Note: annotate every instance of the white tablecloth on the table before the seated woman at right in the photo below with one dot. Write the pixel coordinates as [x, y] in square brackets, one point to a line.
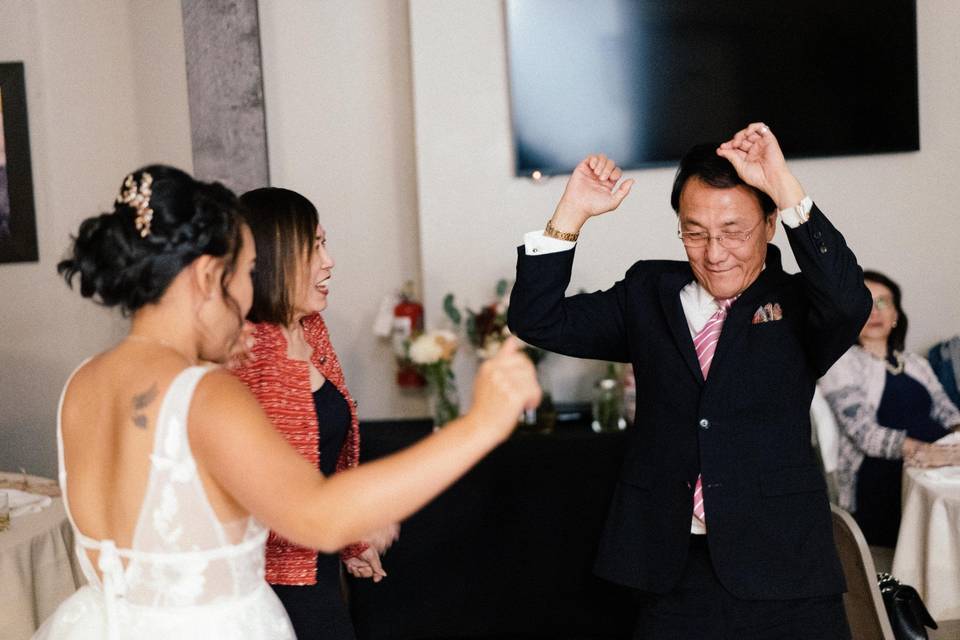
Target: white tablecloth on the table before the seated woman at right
[928, 549]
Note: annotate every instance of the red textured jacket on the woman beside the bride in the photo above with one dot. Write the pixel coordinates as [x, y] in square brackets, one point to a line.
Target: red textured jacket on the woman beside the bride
[282, 386]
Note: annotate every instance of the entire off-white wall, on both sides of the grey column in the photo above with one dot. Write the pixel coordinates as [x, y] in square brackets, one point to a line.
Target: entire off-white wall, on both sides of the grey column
[107, 92]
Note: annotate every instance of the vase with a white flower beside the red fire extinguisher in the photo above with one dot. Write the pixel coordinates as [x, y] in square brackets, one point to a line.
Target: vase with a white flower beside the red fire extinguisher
[432, 353]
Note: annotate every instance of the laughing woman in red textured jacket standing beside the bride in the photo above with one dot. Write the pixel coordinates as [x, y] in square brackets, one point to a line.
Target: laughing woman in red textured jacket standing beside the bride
[294, 373]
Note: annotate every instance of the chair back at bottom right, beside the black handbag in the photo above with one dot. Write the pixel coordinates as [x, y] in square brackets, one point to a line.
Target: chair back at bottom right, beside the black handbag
[862, 601]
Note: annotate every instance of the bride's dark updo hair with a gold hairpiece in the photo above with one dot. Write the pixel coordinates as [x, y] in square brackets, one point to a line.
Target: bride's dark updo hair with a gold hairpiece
[120, 266]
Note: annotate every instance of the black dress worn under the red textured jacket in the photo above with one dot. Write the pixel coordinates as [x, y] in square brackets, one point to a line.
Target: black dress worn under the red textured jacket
[318, 610]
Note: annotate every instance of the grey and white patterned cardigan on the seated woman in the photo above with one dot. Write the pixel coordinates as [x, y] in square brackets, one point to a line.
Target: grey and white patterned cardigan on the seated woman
[853, 387]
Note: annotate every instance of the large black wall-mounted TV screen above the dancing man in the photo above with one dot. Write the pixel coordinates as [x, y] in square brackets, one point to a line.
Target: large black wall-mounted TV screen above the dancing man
[644, 80]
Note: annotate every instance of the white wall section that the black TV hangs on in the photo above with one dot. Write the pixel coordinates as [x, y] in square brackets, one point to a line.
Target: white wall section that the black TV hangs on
[898, 211]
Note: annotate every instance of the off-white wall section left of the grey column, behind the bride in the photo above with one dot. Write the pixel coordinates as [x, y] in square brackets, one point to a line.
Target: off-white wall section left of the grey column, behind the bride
[106, 92]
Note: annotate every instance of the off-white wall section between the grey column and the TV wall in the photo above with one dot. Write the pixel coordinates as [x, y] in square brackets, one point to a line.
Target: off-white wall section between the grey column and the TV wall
[340, 130]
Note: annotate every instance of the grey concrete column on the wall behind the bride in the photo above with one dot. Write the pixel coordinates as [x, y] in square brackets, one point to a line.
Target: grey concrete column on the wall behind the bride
[225, 89]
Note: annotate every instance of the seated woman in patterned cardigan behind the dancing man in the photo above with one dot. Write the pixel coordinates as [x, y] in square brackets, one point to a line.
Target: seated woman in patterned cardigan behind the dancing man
[890, 407]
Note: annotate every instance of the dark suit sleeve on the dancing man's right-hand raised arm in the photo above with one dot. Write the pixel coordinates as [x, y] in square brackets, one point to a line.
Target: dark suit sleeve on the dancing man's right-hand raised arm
[839, 301]
